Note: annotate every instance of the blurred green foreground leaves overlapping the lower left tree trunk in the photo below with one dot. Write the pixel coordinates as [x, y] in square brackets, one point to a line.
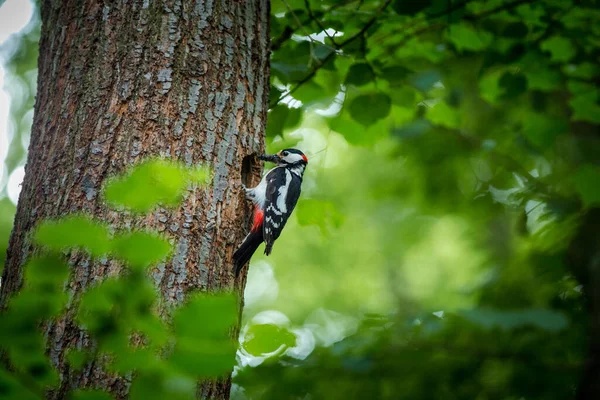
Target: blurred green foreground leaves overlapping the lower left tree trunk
[118, 314]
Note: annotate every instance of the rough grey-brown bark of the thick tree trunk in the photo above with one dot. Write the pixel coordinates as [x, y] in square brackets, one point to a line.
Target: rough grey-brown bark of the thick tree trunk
[122, 81]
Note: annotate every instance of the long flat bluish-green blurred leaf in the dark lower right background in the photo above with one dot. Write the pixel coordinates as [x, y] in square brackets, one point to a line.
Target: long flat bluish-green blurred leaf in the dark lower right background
[548, 320]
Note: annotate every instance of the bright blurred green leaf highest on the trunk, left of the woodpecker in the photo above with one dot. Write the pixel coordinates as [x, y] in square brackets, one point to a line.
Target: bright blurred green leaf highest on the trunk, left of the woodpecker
[148, 184]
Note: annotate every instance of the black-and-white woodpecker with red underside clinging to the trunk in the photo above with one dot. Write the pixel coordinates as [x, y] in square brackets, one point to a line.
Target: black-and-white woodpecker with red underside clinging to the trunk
[274, 200]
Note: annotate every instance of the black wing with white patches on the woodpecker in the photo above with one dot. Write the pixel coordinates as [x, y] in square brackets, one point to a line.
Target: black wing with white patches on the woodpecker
[283, 191]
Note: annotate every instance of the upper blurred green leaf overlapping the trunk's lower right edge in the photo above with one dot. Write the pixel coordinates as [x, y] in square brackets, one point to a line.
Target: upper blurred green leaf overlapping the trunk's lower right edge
[206, 316]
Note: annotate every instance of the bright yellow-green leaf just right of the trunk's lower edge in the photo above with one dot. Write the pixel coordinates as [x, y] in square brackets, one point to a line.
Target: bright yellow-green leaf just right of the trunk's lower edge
[266, 338]
